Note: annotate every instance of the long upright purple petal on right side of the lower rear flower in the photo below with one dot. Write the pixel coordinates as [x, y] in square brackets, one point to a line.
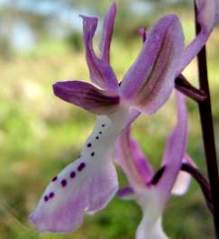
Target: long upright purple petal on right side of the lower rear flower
[174, 150]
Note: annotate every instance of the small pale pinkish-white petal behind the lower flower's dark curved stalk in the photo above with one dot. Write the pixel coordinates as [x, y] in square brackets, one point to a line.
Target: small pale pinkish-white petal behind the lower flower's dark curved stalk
[183, 180]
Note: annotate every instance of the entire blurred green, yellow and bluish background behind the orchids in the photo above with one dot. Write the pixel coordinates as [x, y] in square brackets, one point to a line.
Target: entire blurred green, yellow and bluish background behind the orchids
[40, 43]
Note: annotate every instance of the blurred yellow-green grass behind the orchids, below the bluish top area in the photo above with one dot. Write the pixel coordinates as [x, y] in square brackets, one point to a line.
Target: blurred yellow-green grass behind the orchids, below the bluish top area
[40, 134]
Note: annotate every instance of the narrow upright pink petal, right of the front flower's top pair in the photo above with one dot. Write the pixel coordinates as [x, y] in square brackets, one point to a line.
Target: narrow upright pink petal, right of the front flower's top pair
[107, 33]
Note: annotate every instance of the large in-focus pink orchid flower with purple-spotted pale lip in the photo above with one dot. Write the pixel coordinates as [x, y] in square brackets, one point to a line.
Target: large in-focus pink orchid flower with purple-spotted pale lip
[87, 184]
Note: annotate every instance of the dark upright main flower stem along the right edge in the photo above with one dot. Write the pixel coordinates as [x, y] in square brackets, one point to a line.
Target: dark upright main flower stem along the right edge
[208, 132]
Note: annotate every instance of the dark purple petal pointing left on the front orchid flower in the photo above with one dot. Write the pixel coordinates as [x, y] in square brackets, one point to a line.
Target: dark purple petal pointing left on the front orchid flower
[86, 96]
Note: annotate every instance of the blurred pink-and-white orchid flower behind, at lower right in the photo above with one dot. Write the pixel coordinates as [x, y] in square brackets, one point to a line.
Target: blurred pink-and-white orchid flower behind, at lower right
[152, 190]
